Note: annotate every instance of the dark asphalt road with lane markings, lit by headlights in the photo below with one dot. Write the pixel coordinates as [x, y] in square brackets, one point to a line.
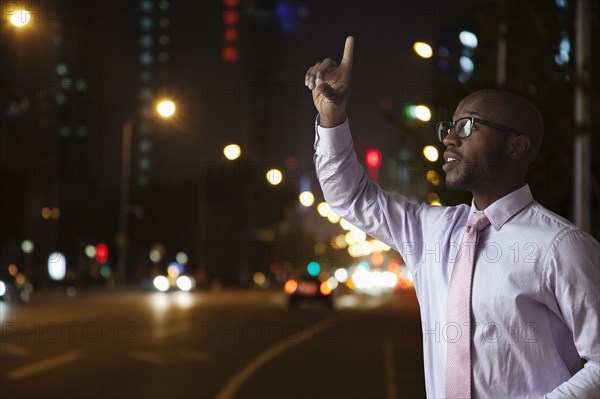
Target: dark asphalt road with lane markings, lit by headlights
[228, 344]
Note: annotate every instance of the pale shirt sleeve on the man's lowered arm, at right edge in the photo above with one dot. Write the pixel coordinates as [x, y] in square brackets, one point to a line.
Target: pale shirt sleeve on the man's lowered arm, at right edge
[573, 273]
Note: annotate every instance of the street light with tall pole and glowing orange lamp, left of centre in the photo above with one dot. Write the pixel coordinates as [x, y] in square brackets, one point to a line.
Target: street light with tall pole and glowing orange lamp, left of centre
[166, 109]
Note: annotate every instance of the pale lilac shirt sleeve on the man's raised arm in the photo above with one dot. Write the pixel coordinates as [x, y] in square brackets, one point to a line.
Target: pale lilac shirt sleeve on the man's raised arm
[389, 217]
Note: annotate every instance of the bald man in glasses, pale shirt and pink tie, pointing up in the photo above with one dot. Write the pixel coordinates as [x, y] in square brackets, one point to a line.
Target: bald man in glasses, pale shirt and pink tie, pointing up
[532, 296]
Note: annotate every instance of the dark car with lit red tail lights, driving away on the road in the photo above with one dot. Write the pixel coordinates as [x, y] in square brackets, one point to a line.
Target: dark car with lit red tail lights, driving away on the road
[308, 289]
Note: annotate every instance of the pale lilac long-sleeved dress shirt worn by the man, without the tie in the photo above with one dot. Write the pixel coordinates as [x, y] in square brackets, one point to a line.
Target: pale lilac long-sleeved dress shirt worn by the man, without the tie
[536, 284]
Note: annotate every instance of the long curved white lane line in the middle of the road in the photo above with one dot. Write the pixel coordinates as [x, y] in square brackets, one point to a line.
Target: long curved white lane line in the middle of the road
[234, 383]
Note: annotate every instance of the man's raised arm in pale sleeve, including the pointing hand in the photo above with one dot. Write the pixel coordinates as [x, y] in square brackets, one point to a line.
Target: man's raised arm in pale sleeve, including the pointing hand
[346, 187]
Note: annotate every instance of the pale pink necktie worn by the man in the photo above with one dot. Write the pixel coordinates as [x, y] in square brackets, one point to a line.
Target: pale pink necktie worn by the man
[458, 320]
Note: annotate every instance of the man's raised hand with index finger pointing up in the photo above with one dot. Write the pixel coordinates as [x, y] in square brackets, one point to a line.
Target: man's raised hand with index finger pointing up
[330, 85]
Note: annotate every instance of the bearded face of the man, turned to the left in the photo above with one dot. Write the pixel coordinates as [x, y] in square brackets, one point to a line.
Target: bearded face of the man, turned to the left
[479, 160]
